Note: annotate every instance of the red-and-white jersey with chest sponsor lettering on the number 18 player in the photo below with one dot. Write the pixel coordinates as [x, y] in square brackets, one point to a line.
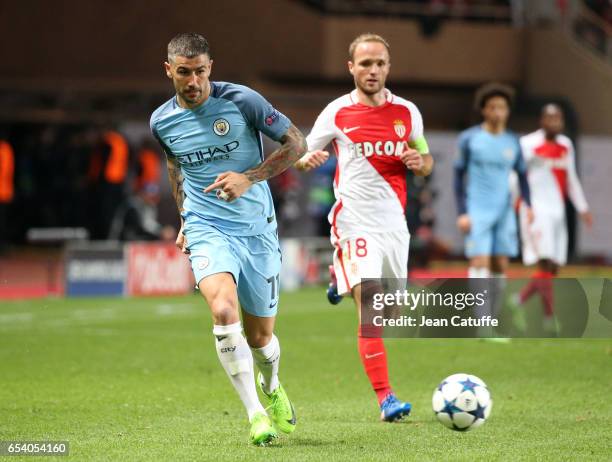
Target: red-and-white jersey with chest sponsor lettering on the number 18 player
[370, 180]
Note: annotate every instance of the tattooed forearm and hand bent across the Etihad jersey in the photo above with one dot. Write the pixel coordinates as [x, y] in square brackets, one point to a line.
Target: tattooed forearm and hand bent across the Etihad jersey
[232, 185]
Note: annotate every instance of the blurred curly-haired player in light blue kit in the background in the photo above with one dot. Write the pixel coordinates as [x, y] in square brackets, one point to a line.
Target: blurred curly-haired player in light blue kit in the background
[487, 155]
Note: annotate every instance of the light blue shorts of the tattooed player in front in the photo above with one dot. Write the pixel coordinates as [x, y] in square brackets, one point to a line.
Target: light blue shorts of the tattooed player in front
[253, 261]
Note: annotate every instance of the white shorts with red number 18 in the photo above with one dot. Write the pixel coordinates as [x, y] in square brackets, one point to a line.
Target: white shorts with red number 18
[370, 255]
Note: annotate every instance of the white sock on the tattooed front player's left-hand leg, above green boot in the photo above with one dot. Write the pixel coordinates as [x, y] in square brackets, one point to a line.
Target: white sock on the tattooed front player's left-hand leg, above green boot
[235, 356]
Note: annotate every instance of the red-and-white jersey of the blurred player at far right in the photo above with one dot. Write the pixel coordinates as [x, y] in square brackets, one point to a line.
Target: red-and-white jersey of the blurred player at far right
[551, 173]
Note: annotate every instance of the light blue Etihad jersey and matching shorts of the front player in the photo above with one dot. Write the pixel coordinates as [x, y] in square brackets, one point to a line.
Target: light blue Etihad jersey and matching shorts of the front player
[239, 237]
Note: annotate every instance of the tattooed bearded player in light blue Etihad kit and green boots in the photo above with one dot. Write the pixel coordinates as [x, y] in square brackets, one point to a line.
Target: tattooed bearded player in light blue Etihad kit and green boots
[211, 133]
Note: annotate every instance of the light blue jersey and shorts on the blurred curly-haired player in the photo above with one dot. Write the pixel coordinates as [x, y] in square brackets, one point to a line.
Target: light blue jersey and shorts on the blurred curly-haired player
[487, 160]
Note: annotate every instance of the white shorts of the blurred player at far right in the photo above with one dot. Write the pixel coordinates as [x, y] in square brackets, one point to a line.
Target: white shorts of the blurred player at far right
[545, 239]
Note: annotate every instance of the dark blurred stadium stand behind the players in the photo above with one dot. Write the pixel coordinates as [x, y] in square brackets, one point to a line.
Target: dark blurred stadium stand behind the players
[74, 69]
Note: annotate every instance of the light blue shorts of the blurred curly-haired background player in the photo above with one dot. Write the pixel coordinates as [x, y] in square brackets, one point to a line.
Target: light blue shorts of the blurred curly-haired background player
[492, 234]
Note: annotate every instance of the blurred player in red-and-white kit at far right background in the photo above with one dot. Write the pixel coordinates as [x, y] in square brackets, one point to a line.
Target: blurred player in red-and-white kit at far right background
[551, 171]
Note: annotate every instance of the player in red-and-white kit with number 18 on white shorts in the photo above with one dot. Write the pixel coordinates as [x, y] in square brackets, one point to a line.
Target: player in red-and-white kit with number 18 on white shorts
[377, 136]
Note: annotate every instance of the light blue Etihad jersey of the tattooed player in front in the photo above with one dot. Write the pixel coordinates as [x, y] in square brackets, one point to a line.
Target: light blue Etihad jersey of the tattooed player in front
[222, 134]
